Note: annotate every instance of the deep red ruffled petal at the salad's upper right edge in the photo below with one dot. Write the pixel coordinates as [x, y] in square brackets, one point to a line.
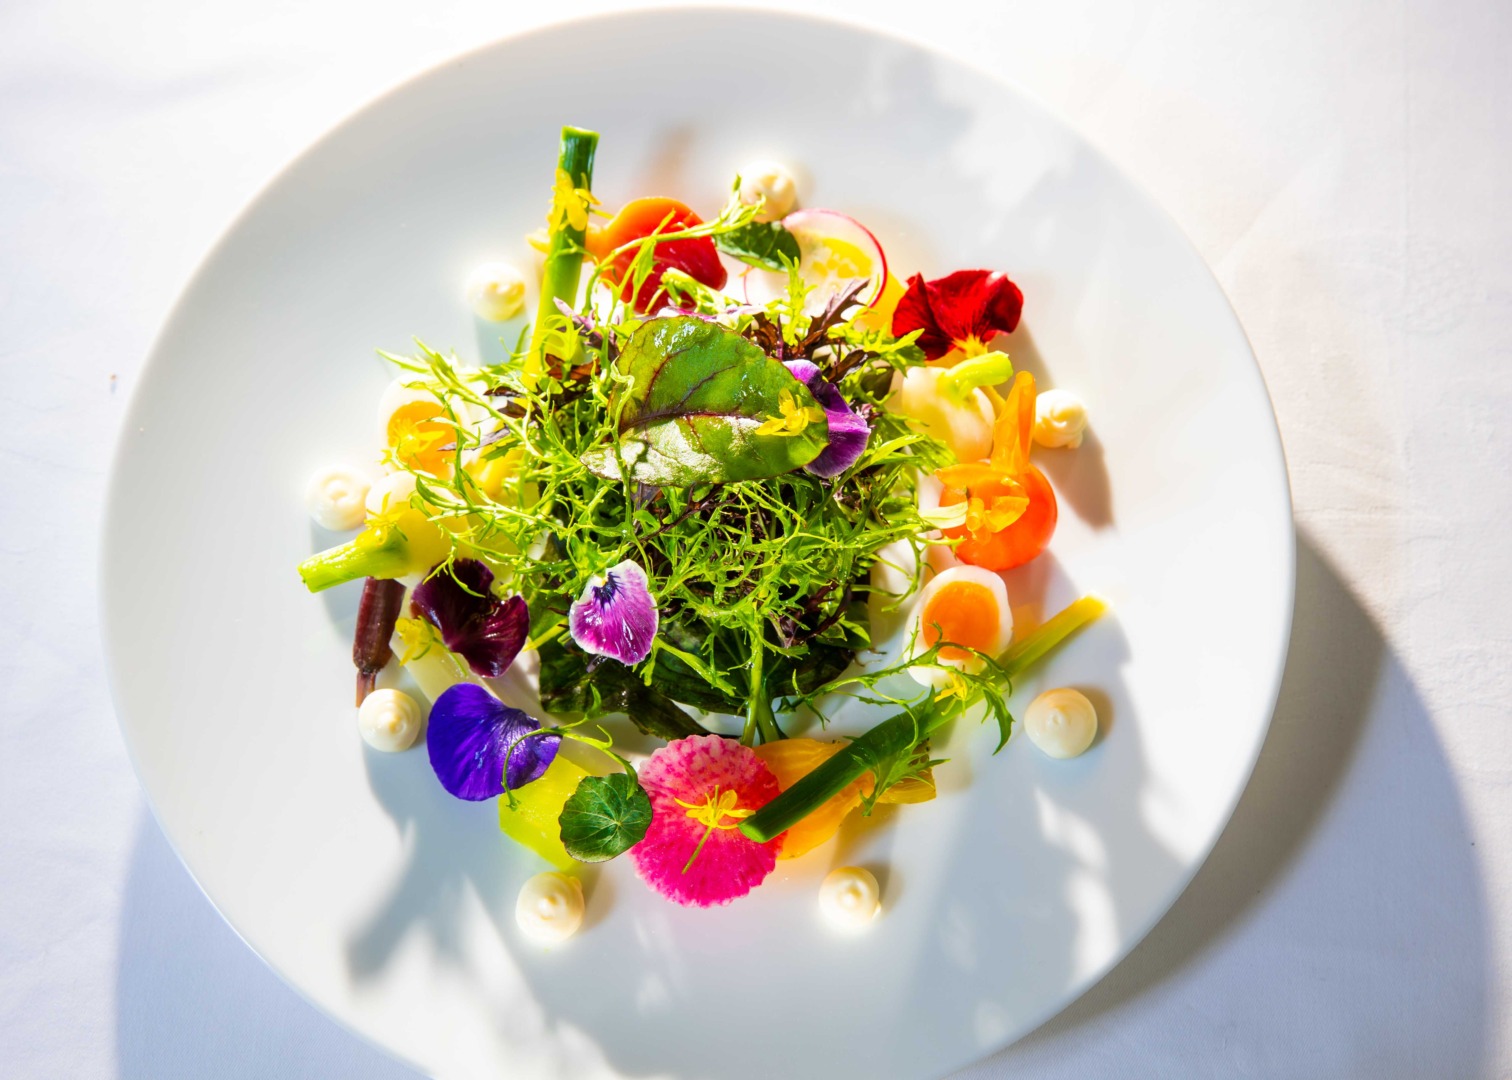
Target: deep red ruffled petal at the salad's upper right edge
[958, 308]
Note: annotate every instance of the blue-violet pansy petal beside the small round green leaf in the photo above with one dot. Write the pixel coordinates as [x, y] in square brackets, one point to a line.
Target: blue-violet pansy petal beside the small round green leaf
[468, 737]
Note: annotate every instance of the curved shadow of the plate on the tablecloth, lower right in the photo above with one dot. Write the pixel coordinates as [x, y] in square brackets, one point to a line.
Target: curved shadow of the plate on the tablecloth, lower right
[1351, 864]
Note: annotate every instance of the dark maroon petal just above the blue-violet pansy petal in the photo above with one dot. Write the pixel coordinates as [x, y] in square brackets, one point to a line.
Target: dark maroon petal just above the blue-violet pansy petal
[486, 632]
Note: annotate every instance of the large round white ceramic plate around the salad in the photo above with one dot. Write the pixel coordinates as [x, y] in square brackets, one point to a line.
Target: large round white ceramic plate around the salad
[388, 902]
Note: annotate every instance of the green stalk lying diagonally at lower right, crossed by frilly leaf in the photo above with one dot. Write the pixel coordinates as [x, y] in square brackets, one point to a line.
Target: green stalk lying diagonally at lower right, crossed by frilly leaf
[903, 733]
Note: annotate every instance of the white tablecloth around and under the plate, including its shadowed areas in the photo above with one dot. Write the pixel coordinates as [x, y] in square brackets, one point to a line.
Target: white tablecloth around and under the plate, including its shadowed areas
[1343, 167]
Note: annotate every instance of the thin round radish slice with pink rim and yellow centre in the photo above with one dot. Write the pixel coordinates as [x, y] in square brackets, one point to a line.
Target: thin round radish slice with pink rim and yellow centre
[835, 250]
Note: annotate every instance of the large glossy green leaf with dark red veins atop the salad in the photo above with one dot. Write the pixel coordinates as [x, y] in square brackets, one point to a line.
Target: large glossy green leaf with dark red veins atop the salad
[698, 394]
